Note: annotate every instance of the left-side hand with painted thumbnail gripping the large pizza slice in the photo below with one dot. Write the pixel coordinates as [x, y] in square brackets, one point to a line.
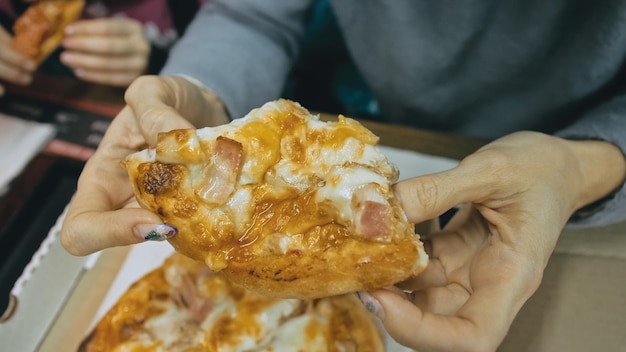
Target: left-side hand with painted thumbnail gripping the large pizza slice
[103, 212]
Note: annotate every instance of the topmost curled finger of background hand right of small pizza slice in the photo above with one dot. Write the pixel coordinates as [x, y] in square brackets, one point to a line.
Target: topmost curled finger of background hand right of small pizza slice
[104, 27]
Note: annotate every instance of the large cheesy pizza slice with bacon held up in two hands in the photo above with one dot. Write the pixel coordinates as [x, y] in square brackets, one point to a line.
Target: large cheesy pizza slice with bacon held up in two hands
[282, 202]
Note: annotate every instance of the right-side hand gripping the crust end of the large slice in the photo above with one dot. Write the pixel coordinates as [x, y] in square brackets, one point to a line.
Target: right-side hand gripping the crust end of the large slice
[518, 192]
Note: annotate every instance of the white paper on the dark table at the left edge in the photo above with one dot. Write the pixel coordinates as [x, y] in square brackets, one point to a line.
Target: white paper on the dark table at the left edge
[20, 141]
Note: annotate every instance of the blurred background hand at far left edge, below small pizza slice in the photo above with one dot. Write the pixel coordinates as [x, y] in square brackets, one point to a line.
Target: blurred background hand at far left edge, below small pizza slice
[14, 67]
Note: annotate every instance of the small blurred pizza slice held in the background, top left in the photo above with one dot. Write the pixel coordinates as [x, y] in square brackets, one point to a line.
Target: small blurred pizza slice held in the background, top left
[40, 30]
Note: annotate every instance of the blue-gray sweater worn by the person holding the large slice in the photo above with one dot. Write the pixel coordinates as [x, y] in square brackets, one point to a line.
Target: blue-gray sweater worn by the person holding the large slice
[478, 68]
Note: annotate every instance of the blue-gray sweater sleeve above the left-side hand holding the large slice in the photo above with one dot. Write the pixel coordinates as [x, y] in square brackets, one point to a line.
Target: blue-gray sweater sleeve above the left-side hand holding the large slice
[242, 50]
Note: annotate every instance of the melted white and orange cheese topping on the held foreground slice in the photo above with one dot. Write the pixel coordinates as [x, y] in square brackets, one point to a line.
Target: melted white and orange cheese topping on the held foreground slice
[284, 157]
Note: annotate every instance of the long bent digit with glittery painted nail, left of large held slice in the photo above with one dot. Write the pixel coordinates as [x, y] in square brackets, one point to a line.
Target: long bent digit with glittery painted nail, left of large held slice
[95, 219]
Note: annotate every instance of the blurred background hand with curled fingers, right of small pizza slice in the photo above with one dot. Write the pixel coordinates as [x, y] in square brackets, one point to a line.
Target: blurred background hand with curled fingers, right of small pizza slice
[110, 51]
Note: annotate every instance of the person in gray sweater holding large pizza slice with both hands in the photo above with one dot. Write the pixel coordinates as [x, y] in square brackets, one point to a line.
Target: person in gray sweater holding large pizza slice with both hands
[542, 80]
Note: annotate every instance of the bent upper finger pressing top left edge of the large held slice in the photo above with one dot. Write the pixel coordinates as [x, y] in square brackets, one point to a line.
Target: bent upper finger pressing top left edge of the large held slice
[153, 101]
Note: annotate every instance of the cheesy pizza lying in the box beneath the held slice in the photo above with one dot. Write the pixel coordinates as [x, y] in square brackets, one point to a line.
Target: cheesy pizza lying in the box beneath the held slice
[184, 306]
